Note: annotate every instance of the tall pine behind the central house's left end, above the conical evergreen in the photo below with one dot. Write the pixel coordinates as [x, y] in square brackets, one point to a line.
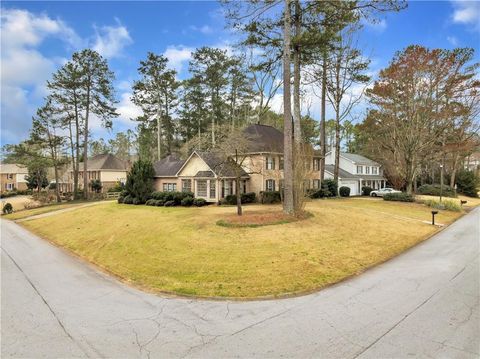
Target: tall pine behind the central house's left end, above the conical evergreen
[156, 94]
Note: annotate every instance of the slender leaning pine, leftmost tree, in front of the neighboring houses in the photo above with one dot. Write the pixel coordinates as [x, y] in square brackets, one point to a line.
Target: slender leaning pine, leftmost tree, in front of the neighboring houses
[44, 133]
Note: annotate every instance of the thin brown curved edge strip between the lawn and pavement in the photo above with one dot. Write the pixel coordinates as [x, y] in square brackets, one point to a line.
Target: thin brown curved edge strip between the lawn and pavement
[168, 294]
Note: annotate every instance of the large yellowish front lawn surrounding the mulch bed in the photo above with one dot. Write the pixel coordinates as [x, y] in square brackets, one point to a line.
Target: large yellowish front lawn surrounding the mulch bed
[183, 251]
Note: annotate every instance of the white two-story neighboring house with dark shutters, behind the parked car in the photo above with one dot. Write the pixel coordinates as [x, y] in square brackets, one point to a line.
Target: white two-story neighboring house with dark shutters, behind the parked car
[355, 171]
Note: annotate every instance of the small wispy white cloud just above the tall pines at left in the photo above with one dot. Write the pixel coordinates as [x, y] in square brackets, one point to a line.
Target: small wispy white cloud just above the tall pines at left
[111, 40]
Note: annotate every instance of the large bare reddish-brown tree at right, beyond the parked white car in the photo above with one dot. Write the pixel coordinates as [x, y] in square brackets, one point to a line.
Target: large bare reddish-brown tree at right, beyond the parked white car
[414, 102]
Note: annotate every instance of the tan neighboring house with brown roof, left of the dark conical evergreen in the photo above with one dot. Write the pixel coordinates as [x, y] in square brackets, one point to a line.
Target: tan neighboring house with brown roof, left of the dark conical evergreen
[107, 168]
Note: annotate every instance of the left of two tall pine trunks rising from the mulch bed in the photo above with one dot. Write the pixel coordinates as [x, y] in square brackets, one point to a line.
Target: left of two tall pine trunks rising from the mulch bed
[288, 206]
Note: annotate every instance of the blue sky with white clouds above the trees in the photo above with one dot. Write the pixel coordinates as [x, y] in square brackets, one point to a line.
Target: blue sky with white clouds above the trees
[38, 37]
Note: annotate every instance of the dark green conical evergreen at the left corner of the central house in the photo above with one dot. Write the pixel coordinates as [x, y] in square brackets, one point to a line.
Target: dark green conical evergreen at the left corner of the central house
[139, 182]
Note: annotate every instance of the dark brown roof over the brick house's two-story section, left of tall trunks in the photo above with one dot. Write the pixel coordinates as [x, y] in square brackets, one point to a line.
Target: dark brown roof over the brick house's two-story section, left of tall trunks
[264, 138]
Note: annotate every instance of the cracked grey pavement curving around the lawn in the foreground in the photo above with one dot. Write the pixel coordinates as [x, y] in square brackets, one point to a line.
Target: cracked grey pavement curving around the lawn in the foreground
[424, 303]
